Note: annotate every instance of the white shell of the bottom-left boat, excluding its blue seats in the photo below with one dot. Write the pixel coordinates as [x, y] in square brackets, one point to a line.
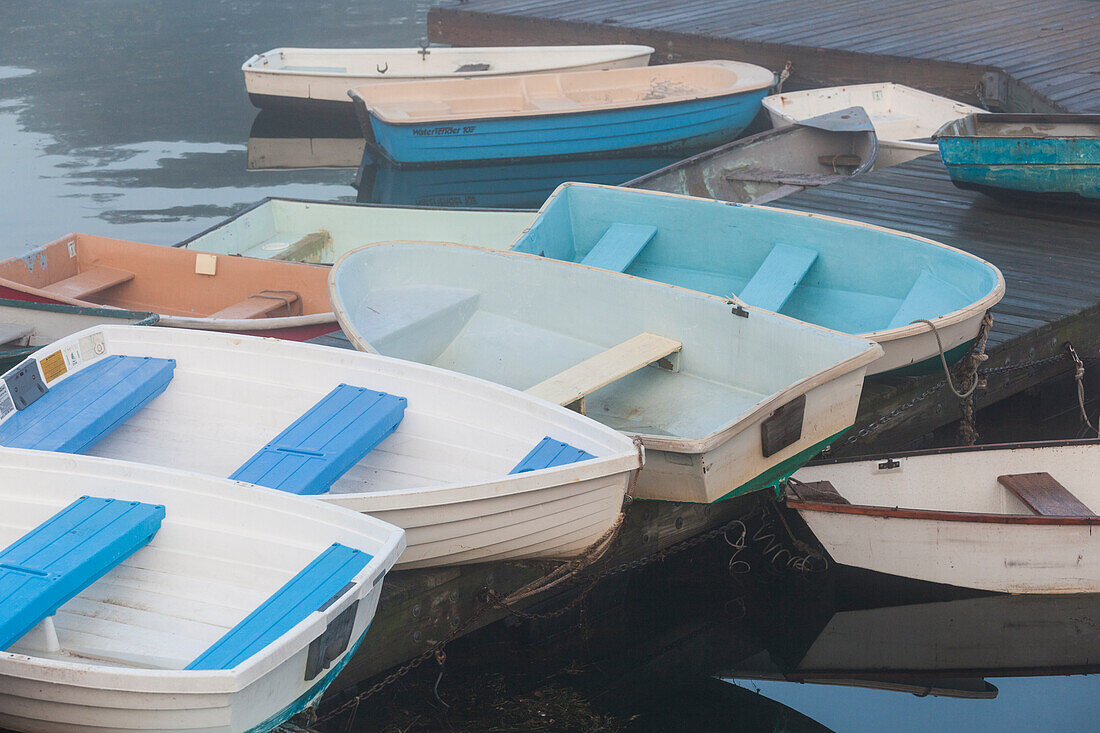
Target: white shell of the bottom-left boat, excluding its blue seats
[224, 549]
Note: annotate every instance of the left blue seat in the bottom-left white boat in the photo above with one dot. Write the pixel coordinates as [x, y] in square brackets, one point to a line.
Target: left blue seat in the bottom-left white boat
[61, 557]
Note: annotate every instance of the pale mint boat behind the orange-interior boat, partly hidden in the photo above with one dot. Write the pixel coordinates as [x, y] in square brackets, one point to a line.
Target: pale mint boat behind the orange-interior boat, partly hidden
[321, 232]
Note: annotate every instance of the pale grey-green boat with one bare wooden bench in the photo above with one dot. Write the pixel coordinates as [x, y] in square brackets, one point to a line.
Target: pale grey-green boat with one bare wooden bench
[727, 400]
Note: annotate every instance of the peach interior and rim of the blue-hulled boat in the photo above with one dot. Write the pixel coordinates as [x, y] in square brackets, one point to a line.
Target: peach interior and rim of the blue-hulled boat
[567, 92]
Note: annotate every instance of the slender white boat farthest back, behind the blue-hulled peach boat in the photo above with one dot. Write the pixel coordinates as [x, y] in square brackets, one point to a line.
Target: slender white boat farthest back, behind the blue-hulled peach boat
[269, 81]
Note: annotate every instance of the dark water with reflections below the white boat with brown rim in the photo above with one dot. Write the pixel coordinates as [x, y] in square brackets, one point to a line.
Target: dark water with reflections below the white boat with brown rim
[635, 662]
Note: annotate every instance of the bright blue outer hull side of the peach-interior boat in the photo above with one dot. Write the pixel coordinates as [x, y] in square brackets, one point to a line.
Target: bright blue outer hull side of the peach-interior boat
[676, 127]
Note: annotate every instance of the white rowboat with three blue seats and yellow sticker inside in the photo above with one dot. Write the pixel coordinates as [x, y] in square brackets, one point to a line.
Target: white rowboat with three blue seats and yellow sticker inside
[471, 471]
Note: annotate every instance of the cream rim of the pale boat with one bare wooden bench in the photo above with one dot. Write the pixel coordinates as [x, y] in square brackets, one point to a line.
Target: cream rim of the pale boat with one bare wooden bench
[672, 444]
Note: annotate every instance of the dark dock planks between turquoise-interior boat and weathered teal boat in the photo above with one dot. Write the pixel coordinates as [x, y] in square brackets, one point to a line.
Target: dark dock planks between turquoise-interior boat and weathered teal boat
[1051, 269]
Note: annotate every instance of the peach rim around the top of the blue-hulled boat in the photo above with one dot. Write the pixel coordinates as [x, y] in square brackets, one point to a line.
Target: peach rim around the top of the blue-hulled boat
[375, 114]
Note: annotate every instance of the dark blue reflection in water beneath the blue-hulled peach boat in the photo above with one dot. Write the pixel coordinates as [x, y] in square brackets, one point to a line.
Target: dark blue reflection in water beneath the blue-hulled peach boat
[500, 187]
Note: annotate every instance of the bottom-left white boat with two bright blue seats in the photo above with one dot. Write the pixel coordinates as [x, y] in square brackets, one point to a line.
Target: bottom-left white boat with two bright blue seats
[140, 598]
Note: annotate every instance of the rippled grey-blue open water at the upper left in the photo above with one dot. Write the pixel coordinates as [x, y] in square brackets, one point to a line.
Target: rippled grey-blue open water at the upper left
[131, 121]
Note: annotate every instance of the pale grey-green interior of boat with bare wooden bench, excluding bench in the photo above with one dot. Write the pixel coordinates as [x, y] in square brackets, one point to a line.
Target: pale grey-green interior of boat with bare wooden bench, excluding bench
[519, 321]
